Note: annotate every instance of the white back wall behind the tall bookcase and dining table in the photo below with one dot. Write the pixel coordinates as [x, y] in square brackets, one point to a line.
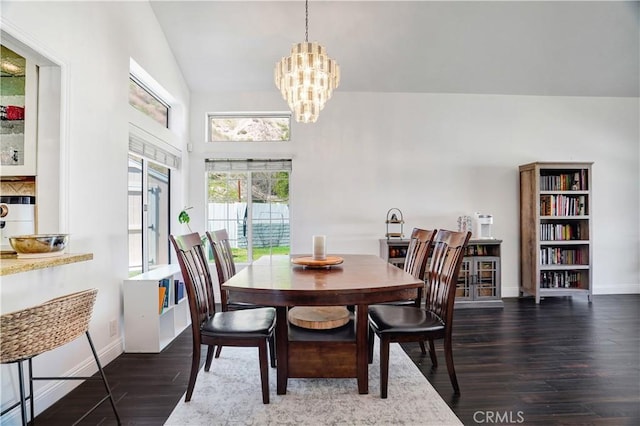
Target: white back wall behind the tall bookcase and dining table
[439, 156]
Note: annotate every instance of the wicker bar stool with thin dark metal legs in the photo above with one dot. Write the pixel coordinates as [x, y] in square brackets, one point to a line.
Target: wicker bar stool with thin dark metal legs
[38, 329]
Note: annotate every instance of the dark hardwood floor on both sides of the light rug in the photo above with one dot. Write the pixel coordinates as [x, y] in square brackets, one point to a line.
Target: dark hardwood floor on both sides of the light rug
[563, 362]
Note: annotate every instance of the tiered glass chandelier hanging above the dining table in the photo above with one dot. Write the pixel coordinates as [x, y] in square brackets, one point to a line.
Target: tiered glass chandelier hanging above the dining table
[307, 77]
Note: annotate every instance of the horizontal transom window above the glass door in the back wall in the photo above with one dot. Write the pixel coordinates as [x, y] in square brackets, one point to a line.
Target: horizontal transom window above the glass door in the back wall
[247, 127]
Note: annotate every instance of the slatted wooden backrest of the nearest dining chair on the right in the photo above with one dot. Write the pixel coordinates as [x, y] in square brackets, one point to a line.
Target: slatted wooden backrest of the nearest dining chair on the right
[442, 273]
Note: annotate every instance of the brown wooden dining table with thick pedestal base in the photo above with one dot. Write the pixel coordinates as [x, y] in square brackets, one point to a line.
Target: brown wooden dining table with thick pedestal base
[360, 280]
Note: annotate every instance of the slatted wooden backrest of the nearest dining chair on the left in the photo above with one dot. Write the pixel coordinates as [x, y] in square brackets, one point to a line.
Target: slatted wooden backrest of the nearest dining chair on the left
[197, 278]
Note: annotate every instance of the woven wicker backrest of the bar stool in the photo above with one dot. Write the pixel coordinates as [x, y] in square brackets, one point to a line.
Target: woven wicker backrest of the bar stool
[32, 331]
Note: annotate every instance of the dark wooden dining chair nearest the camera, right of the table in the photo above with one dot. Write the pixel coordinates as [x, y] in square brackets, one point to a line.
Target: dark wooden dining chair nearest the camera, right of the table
[395, 324]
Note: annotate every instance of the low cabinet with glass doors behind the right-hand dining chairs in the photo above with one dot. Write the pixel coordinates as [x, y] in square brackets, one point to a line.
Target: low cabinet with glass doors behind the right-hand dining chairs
[479, 279]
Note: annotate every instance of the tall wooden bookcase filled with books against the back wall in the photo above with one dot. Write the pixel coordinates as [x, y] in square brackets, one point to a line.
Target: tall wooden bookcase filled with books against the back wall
[555, 229]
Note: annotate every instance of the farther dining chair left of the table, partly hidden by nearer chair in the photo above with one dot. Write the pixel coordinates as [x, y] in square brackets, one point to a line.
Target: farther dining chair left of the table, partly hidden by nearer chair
[226, 268]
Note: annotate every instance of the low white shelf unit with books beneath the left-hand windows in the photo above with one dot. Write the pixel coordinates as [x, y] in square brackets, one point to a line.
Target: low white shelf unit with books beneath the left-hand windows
[147, 327]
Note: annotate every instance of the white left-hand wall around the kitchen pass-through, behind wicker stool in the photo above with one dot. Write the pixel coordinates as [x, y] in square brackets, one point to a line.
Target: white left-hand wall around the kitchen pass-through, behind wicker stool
[93, 42]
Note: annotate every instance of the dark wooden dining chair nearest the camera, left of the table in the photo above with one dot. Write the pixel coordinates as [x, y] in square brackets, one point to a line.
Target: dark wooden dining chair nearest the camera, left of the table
[247, 327]
